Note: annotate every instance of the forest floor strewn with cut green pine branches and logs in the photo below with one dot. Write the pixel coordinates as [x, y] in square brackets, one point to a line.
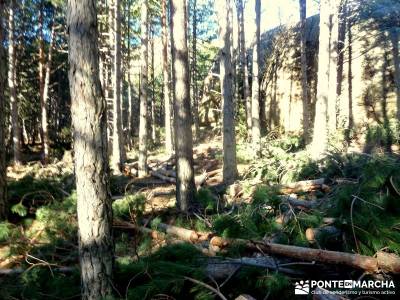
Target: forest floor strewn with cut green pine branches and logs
[346, 203]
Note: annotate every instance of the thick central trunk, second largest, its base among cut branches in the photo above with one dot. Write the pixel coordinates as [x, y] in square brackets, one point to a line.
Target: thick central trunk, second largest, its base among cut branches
[185, 187]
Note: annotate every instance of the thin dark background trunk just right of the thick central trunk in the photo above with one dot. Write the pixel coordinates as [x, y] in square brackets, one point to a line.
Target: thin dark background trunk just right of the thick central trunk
[194, 73]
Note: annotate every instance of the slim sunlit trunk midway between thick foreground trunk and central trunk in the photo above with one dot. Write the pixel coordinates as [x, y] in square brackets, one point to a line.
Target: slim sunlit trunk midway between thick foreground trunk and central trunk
[143, 91]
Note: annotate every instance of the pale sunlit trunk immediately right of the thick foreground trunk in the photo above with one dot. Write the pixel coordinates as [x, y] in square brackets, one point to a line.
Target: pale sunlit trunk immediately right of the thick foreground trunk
[118, 145]
